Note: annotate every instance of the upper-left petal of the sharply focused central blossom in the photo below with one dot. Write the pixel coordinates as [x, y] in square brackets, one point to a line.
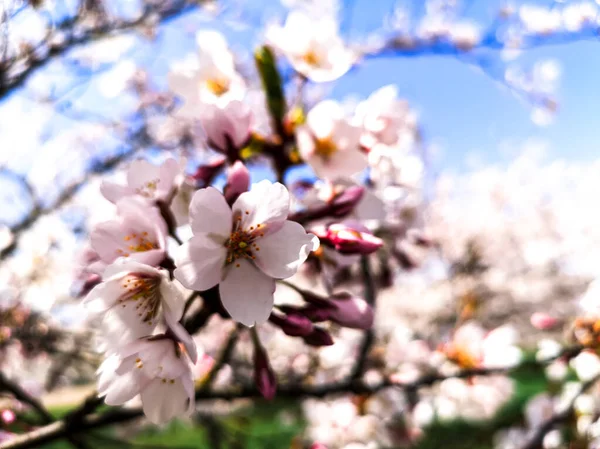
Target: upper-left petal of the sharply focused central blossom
[209, 213]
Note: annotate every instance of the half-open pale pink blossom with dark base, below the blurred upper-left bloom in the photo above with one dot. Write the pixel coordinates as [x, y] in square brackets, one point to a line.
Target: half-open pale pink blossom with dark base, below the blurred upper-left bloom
[227, 127]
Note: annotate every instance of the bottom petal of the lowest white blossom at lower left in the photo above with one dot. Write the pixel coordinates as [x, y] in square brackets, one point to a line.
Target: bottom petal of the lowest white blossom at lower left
[164, 401]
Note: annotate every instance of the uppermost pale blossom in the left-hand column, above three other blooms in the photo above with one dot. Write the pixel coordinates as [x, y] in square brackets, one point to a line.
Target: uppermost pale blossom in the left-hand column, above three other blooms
[146, 180]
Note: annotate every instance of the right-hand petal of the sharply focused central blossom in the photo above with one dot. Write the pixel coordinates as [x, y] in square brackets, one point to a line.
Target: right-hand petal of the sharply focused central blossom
[282, 252]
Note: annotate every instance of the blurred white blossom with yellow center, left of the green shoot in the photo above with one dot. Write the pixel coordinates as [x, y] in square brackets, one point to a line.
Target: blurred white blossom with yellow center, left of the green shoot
[209, 77]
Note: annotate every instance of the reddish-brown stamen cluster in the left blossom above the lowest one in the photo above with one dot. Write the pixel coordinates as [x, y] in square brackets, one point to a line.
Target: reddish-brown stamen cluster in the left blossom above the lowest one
[144, 292]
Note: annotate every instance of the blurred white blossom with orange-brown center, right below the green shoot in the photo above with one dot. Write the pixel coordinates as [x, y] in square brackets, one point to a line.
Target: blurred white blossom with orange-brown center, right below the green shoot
[329, 143]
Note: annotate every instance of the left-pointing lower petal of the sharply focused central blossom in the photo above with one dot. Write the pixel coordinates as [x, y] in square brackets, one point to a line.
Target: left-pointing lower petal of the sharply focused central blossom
[200, 263]
